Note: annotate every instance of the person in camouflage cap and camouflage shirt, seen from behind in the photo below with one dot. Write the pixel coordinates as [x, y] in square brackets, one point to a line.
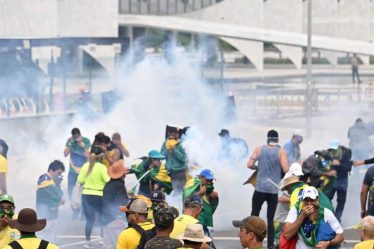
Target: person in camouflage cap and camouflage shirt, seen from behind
[164, 221]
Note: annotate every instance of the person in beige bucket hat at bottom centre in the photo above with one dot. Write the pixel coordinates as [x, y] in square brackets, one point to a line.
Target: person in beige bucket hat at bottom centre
[193, 237]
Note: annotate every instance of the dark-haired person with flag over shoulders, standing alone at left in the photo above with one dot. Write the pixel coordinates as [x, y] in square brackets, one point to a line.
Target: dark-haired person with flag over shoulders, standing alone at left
[49, 197]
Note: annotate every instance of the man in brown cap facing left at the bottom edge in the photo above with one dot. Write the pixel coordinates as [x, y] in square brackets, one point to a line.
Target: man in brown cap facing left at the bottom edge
[252, 232]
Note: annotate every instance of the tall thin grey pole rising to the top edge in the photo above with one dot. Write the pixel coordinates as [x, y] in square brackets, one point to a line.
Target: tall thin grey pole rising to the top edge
[309, 73]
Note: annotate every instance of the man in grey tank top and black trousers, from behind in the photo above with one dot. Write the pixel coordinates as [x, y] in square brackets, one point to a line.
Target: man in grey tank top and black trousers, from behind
[272, 162]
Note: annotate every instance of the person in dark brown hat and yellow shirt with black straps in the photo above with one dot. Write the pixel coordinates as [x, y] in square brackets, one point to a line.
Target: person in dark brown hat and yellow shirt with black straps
[28, 223]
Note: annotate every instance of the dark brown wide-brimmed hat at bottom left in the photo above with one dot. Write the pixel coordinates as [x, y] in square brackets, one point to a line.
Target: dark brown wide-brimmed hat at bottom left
[27, 221]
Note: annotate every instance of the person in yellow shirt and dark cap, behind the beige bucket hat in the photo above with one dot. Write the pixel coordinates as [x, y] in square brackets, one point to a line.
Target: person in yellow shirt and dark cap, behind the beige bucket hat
[192, 209]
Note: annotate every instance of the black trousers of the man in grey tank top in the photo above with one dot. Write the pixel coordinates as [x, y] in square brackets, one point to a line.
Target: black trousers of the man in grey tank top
[272, 200]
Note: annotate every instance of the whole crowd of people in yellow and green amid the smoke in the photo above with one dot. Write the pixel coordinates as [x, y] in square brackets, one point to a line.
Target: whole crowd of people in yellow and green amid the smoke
[299, 193]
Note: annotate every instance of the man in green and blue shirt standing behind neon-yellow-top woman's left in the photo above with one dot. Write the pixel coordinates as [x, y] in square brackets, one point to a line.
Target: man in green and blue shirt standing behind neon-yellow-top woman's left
[77, 147]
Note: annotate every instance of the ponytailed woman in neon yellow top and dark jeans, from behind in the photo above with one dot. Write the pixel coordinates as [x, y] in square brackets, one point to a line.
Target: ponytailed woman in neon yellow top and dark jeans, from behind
[93, 177]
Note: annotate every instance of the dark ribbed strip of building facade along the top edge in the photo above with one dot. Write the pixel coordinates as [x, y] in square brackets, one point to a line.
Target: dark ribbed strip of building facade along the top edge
[163, 7]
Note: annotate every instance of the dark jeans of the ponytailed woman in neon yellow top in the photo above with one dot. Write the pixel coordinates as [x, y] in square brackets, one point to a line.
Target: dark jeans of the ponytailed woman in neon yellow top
[92, 208]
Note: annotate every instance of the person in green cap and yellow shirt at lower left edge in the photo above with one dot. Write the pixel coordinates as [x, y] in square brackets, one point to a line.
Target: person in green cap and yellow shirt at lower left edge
[7, 208]
